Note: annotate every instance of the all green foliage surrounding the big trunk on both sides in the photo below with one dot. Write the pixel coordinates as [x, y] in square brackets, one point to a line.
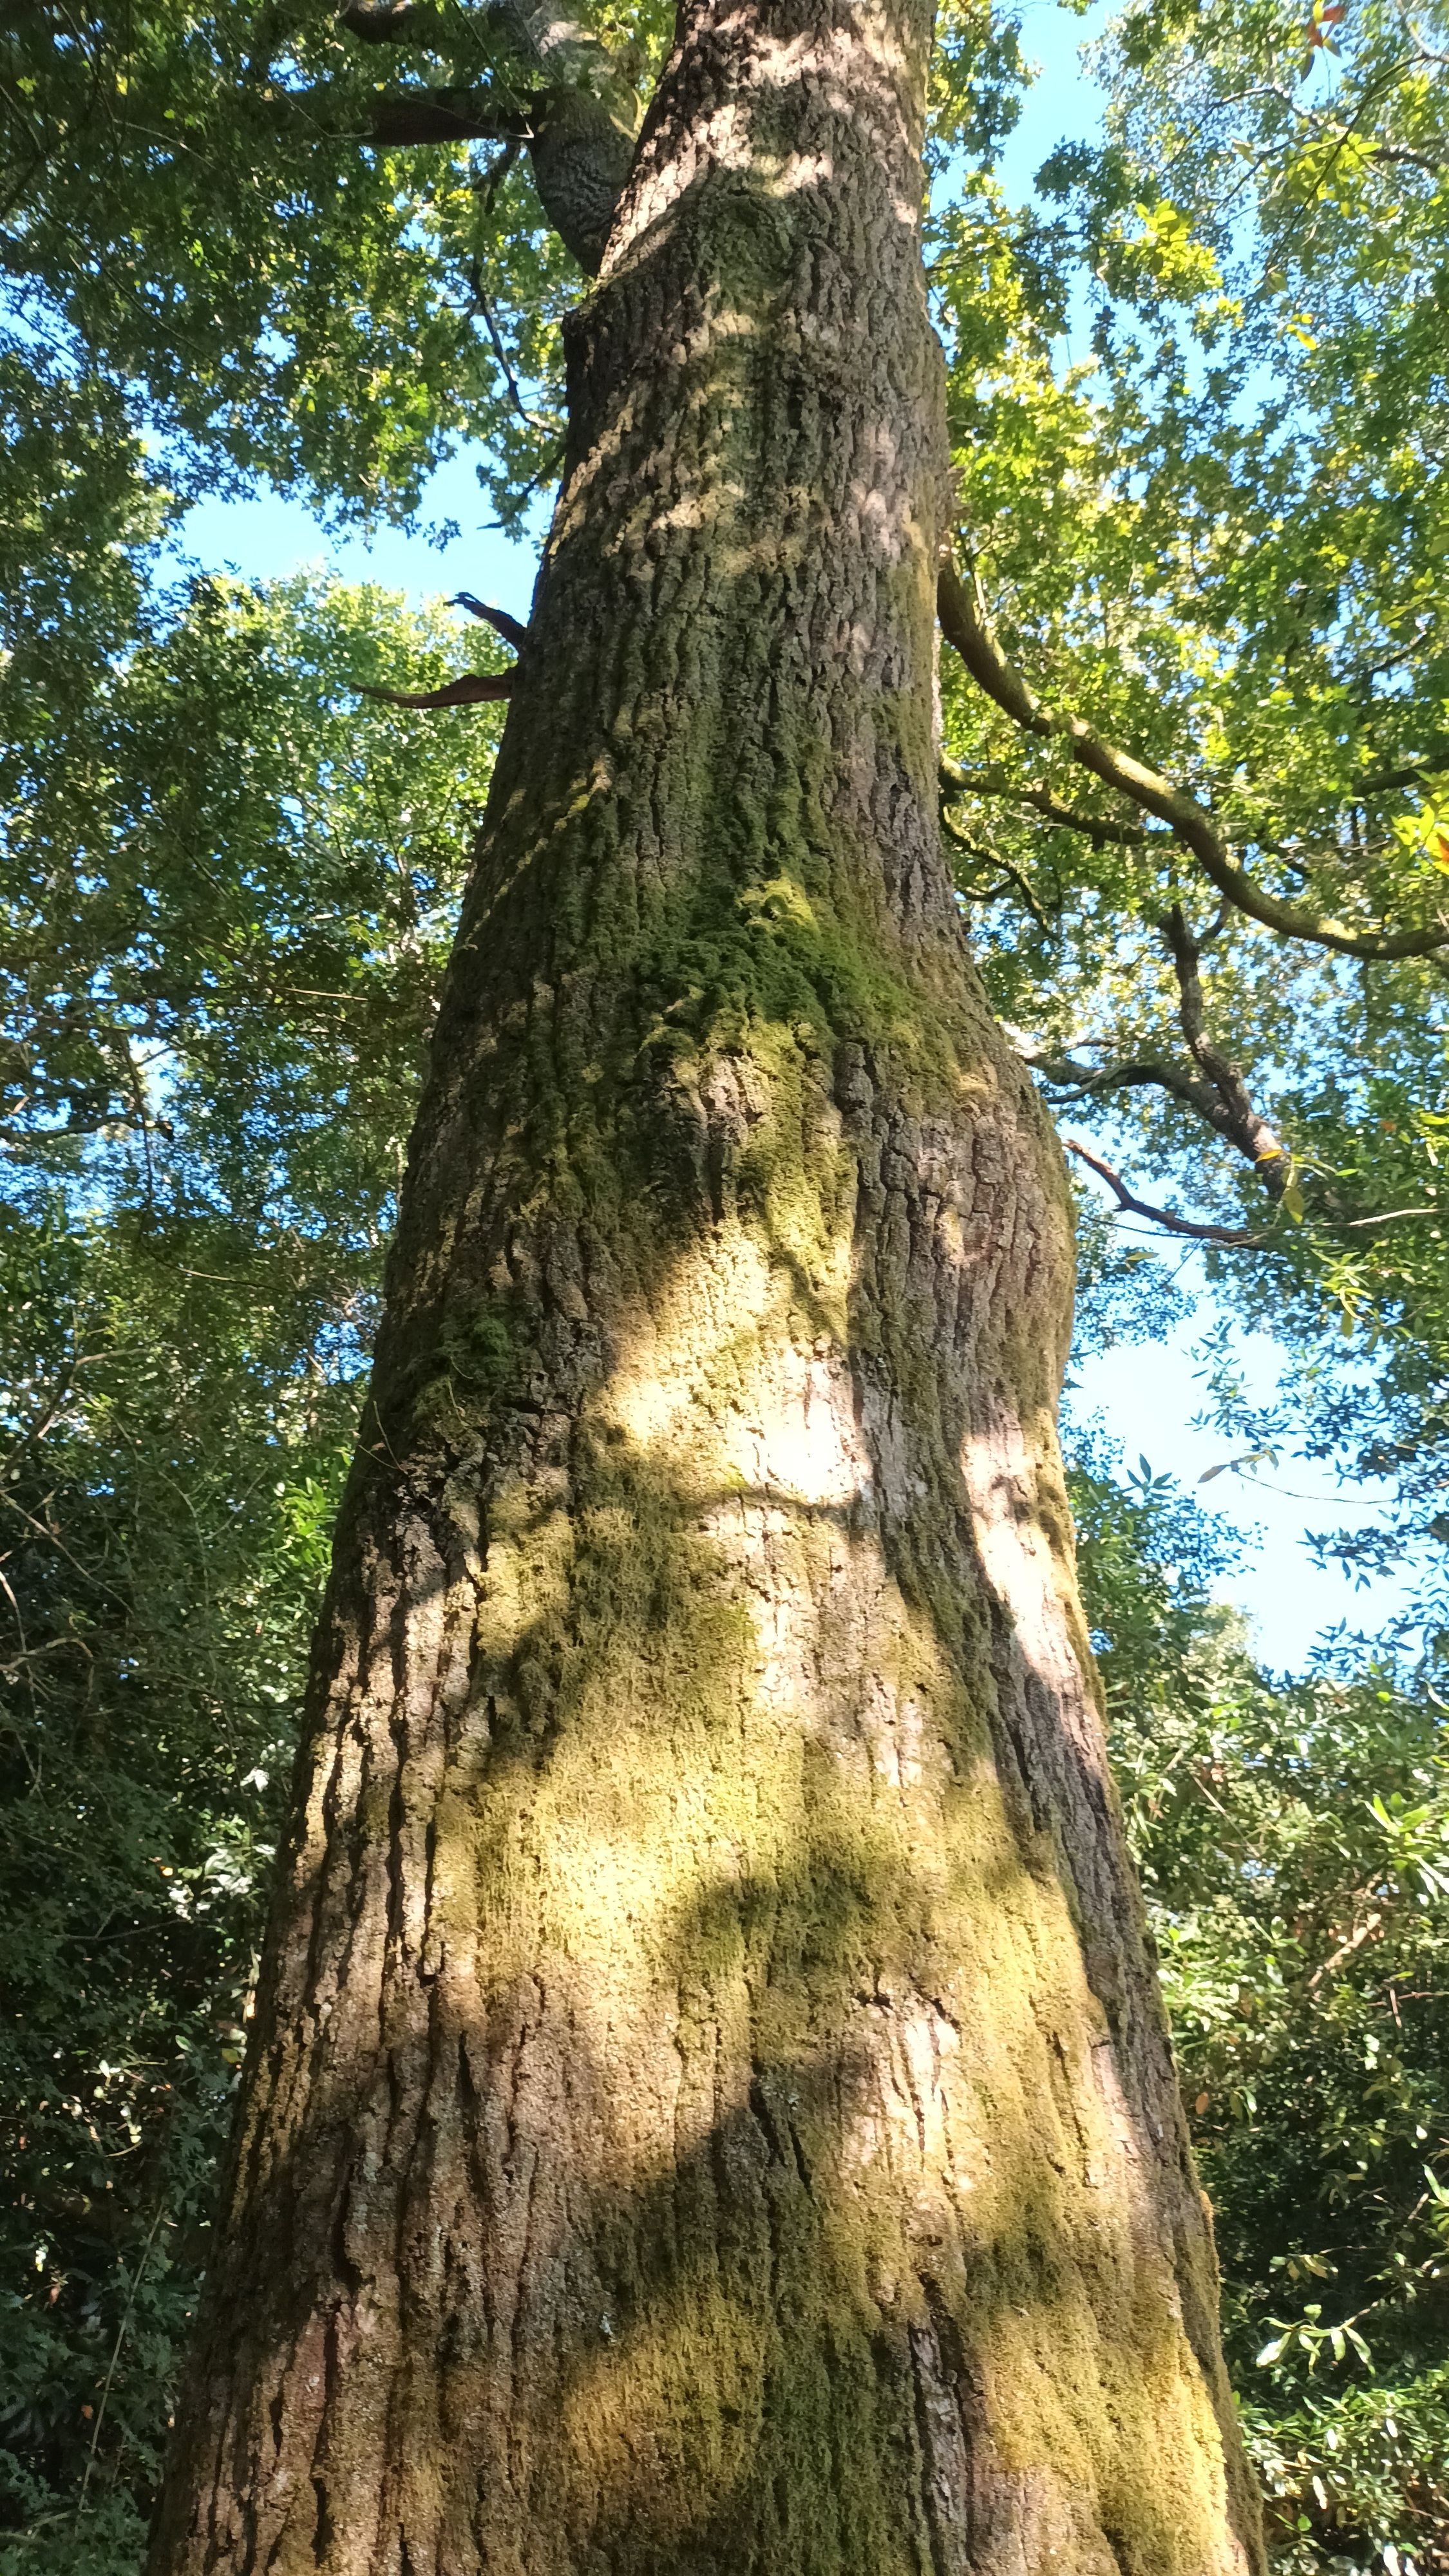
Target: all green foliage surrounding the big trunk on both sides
[1221, 542]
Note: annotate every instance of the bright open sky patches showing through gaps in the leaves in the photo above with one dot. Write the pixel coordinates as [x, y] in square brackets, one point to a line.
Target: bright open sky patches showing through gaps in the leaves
[1146, 1395]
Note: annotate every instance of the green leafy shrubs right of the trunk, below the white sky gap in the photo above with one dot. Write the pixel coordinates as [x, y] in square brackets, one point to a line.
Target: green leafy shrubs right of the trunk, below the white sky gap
[1296, 1861]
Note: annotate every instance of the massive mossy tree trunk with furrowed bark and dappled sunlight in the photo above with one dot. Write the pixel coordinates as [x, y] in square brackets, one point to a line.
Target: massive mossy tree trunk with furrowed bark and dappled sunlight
[710, 2106]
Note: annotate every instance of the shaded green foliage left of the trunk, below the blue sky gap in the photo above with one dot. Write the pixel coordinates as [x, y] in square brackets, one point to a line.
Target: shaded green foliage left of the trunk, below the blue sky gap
[228, 908]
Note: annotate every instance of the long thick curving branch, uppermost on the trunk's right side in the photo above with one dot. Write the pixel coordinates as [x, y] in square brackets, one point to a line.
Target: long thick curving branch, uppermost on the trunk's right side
[966, 627]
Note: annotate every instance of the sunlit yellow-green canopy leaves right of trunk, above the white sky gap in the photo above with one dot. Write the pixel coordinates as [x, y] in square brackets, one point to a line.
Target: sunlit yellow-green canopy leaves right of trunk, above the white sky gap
[1218, 540]
